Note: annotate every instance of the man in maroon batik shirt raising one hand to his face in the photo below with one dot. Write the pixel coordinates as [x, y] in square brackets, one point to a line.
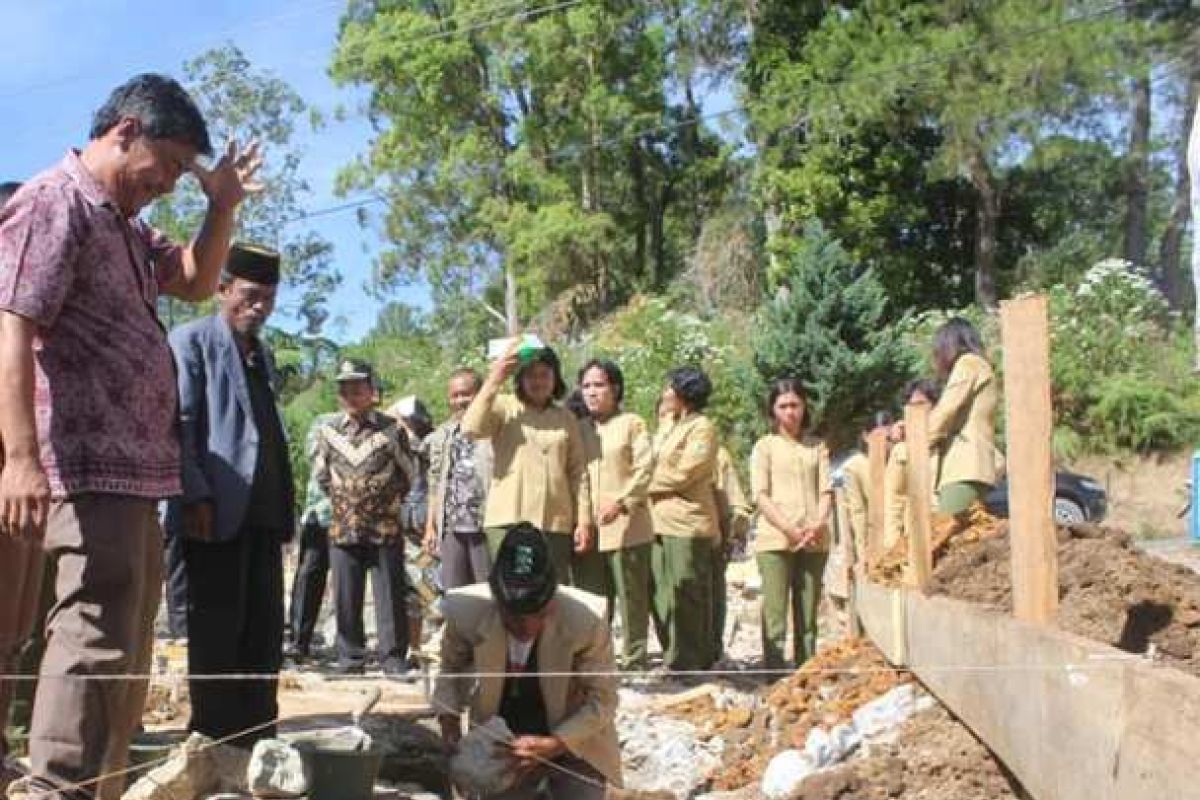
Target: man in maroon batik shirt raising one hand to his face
[88, 406]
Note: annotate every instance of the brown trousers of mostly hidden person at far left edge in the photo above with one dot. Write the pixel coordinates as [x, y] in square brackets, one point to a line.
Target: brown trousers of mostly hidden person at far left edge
[21, 578]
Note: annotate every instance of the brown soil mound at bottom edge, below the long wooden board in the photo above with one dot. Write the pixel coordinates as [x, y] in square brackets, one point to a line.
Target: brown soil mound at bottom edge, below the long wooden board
[934, 759]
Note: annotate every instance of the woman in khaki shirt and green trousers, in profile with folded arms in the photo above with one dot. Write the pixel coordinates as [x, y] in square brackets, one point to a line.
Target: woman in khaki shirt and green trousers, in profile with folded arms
[683, 506]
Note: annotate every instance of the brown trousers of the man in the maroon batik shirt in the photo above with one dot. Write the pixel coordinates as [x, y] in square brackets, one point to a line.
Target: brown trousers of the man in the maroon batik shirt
[109, 555]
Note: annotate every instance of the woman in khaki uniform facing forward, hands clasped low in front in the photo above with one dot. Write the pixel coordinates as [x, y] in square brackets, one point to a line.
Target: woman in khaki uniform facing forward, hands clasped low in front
[790, 476]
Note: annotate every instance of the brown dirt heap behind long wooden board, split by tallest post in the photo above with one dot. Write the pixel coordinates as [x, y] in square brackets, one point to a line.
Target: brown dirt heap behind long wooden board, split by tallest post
[1108, 591]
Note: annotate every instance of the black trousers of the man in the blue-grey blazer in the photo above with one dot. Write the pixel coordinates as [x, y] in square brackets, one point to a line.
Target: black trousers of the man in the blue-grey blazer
[236, 625]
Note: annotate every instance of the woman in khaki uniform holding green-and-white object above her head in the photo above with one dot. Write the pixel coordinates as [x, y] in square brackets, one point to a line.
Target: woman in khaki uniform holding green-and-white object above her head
[539, 472]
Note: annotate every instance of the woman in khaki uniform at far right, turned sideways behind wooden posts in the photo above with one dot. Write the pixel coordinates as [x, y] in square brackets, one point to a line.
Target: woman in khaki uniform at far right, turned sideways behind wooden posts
[963, 425]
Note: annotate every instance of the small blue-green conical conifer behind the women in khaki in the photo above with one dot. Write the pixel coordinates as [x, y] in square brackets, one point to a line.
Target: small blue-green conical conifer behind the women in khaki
[829, 326]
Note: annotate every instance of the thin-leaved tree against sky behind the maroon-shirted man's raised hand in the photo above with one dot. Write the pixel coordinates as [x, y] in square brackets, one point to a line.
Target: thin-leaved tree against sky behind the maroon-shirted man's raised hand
[241, 101]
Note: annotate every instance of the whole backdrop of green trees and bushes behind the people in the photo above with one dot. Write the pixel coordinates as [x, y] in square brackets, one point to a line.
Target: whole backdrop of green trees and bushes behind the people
[757, 187]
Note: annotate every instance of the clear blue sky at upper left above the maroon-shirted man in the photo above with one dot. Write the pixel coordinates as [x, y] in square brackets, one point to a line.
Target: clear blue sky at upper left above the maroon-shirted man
[63, 57]
